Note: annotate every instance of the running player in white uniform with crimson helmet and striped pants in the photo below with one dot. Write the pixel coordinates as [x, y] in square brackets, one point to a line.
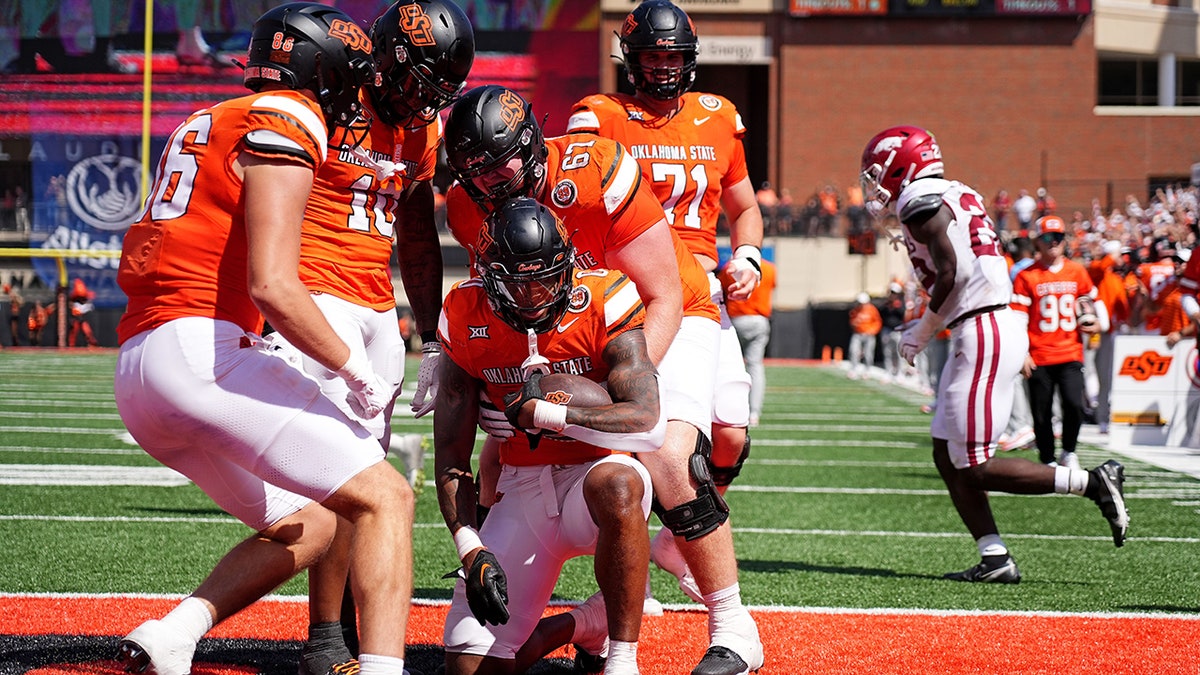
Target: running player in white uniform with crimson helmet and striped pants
[956, 254]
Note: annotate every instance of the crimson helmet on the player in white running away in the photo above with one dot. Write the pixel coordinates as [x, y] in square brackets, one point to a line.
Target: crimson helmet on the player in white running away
[893, 159]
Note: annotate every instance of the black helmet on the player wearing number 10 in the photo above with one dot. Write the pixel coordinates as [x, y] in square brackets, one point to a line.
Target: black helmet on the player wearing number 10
[424, 51]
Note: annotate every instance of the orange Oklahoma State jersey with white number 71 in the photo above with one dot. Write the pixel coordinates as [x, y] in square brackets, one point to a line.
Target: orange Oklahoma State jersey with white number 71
[683, 158]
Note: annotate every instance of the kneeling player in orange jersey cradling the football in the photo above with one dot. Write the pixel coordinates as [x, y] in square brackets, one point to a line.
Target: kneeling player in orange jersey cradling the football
[532, 312]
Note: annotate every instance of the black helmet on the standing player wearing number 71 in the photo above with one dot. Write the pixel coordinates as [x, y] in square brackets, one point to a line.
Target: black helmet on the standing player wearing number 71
[658, 26]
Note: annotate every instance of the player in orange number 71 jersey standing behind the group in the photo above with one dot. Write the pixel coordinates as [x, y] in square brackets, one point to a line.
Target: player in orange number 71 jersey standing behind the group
[689, 147]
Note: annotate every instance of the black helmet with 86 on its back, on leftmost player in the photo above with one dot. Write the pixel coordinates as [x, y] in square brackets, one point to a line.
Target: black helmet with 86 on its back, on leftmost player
[315, 47]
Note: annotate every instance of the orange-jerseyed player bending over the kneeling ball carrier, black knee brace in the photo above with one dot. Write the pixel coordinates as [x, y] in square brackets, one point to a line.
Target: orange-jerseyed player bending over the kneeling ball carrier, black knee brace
[496, 151]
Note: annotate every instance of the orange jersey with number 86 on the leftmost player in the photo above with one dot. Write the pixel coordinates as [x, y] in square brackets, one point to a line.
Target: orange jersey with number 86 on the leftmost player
[187, 254]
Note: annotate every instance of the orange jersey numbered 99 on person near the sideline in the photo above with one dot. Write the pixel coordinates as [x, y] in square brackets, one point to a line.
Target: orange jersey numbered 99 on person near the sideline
[1049, 298]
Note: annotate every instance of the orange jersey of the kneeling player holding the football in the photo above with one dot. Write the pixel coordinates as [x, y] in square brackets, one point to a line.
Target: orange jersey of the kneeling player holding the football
[604, 304]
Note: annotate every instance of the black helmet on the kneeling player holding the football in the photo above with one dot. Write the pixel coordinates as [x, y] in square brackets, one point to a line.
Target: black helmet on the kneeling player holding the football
[526, 262]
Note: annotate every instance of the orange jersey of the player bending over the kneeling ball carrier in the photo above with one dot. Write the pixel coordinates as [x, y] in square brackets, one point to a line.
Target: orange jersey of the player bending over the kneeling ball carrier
[596, 189]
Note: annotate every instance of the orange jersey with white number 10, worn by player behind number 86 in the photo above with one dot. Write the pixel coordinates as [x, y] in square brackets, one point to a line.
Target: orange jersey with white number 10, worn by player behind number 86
[350, 224]
